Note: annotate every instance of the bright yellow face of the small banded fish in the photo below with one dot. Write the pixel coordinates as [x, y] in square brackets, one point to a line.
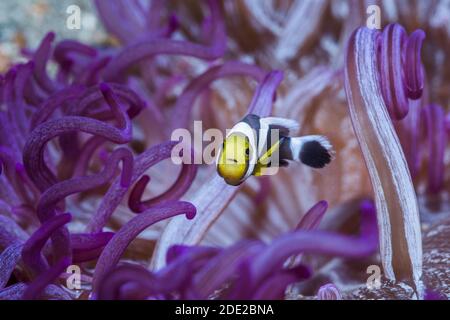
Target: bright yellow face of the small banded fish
[234, 159]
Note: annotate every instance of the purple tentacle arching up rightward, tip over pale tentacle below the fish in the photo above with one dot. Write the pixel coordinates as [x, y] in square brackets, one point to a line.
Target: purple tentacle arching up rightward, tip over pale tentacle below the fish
[120, 241]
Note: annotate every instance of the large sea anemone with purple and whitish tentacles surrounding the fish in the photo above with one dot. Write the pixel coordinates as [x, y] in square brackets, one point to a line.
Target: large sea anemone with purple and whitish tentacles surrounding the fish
[92, 208]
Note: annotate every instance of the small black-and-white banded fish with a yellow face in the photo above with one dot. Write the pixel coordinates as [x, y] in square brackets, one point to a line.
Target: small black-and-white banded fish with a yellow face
[250, 147]
